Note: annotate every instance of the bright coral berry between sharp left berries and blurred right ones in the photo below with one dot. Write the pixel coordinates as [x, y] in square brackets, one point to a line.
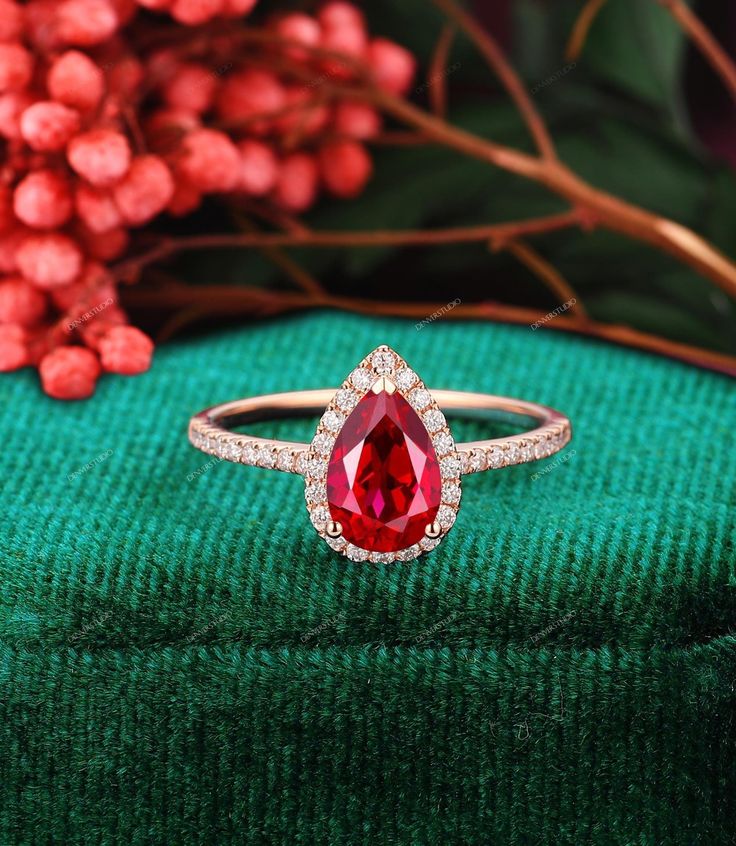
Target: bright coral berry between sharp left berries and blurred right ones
[209, 160]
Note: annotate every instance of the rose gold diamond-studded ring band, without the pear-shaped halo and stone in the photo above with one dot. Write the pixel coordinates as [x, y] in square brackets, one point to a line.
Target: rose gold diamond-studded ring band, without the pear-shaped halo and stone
[210, 432]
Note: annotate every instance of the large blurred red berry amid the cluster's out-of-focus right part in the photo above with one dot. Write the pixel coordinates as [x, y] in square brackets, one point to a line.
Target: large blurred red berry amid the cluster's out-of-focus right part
[248, 94]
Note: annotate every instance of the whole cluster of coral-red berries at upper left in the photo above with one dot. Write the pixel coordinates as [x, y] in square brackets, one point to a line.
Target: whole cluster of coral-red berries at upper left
[103, 129]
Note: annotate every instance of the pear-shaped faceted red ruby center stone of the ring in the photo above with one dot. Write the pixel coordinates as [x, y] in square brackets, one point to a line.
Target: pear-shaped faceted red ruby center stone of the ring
[383, 480]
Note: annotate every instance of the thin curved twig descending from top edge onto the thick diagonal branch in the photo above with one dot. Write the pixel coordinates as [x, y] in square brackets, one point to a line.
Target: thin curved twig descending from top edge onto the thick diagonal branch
[505, 72]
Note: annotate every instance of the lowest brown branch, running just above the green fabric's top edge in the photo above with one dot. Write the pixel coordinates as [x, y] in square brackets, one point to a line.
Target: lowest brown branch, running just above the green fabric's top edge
[228, 301]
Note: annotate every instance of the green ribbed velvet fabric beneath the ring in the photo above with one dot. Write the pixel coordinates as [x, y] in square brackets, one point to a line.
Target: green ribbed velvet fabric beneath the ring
[184, 661]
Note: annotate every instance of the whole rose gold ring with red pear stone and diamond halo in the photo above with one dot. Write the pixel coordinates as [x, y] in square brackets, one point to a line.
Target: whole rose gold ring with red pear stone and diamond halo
[382, 473]
